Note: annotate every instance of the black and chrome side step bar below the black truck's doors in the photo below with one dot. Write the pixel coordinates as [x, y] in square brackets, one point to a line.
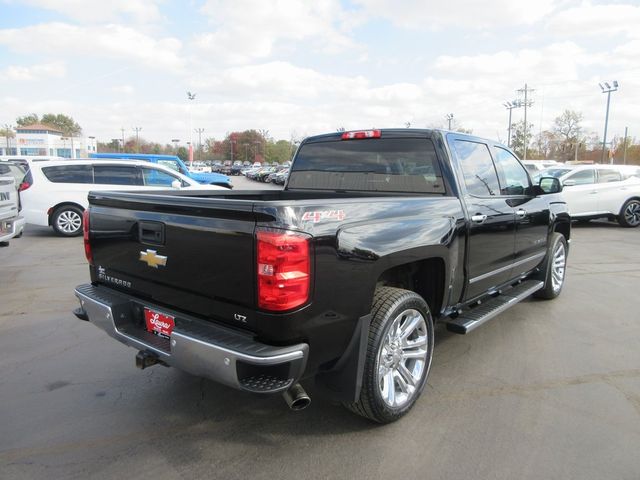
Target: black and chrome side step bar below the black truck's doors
[475, 317]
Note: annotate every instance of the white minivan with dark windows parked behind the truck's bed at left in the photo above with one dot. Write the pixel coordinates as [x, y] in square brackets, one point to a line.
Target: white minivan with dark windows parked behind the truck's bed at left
[56, 193]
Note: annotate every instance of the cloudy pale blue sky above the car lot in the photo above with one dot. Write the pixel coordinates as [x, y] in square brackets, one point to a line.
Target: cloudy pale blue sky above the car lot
[298, 68]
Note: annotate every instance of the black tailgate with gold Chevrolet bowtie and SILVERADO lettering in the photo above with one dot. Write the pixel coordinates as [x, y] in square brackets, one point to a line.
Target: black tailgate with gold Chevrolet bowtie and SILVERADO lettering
[199, 249]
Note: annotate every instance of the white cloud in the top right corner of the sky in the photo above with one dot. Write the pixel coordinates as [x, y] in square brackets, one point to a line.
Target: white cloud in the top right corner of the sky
[597, 20]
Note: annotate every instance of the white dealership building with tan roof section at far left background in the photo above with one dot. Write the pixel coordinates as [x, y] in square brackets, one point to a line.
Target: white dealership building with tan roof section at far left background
[40, 139]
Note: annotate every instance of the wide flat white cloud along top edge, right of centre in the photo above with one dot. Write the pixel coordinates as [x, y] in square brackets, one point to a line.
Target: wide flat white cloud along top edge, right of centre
[457, 13]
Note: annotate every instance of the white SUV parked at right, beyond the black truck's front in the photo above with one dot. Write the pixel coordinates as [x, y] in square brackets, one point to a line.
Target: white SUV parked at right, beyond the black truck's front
[601, 191]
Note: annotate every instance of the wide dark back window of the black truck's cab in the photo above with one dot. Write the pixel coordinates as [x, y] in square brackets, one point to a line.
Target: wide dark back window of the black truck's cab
[407, 165]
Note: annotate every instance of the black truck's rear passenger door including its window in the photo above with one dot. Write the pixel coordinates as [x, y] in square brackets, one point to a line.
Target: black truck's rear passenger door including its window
[490, 249]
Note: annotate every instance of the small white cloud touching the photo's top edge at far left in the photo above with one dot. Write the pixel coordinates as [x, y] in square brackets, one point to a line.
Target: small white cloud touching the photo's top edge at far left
[102, 11]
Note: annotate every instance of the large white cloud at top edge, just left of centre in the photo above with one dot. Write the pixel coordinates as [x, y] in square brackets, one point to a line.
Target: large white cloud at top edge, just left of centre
[245, 29]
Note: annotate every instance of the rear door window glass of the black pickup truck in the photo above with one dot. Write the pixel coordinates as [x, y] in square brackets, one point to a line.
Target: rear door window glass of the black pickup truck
[479, 172]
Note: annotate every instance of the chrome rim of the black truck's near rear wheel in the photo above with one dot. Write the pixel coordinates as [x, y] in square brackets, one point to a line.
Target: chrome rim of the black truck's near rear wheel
[402, 358]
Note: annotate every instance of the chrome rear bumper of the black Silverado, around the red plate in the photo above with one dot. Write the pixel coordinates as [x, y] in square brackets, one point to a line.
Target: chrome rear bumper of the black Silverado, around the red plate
[196, 346]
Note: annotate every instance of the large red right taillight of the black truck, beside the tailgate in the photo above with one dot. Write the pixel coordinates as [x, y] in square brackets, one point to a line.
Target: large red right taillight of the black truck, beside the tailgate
[284, 269]
